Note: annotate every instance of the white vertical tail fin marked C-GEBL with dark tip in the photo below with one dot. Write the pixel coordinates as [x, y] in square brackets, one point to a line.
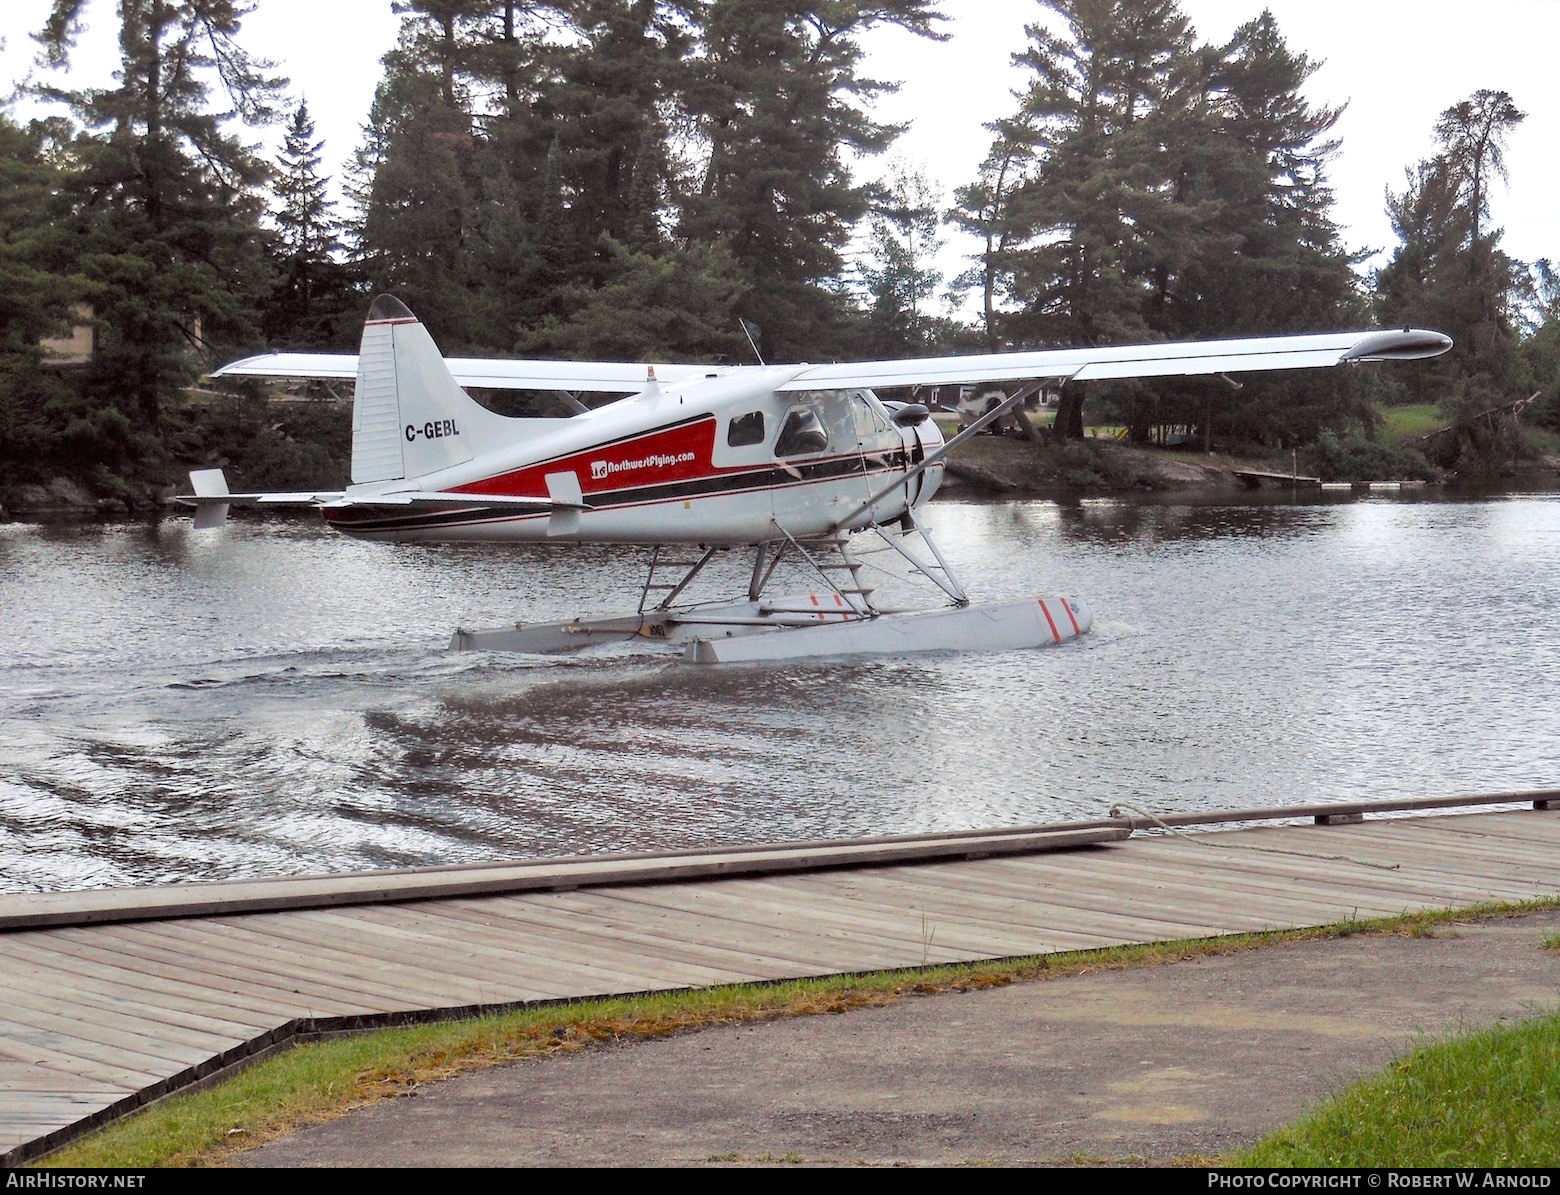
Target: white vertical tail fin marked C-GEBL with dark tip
[409, 416]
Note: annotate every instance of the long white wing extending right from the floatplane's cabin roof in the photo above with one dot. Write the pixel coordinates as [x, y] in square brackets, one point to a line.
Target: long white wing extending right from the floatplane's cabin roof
[1169, 360]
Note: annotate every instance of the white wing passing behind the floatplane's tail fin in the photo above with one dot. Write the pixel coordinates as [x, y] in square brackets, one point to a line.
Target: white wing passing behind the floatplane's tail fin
[495, 374]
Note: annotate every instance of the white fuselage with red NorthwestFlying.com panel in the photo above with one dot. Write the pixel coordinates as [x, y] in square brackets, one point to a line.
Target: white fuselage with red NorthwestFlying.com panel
[720, 461]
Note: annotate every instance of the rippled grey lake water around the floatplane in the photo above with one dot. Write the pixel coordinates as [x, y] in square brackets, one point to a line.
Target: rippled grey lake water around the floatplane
[275, 700]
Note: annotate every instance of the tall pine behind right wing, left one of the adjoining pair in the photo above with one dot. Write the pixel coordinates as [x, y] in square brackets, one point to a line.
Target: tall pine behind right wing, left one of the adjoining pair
[1099, 222]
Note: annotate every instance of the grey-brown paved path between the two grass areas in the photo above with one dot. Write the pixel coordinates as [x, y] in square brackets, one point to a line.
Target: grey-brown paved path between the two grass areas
[1160, 1063]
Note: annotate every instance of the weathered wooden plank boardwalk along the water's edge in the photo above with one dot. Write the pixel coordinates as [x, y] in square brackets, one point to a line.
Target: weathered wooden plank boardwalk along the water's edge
[116, 999]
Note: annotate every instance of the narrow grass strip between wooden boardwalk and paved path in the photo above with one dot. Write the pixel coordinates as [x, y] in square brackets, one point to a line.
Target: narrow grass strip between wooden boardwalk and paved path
[325, 1080]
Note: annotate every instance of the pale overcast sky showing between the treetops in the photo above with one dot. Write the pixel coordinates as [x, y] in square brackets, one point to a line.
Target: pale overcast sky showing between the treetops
[1395, 63]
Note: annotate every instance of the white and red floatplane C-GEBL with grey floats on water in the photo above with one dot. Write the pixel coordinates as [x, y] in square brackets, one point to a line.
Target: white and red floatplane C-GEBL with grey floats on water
[790, 463]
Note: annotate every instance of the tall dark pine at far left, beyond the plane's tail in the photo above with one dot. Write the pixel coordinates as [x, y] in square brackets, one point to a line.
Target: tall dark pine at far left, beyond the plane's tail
[168, 199]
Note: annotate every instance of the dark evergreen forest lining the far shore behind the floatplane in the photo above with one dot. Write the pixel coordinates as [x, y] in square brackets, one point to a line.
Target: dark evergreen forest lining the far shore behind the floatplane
[640, 180]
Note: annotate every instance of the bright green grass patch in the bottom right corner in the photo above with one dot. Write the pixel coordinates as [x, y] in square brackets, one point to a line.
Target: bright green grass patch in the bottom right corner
[1478, 1099]
